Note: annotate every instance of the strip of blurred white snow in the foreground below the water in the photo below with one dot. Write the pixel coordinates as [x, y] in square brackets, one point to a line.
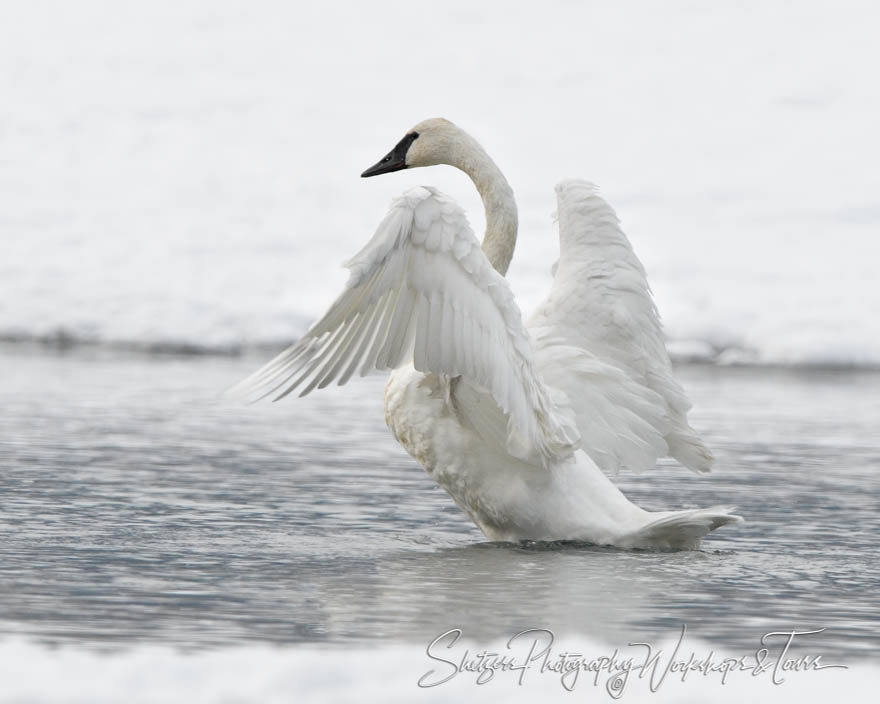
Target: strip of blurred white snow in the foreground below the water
[388, 674]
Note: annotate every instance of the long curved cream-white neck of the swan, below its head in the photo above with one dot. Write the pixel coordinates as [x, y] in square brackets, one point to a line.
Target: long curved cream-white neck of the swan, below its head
[501, 216]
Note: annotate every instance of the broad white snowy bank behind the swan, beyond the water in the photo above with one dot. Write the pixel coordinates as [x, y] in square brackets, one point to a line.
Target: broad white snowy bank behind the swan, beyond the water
[188, 174]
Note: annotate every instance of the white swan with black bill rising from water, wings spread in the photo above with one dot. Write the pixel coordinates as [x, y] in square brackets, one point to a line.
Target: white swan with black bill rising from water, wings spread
[519, 423]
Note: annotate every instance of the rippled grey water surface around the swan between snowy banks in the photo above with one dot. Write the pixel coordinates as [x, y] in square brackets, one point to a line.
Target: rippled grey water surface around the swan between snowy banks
[138, 507]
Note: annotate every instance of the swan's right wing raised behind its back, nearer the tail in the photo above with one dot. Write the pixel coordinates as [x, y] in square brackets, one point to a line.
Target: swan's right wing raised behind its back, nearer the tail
[599, 332]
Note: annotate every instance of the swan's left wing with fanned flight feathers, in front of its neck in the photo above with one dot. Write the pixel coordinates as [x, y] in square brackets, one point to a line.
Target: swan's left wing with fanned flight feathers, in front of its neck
[423, 290]
